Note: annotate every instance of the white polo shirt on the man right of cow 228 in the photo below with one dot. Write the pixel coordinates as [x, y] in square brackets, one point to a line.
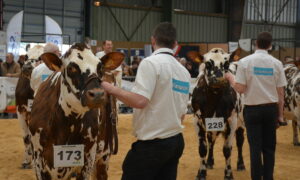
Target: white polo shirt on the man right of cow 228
[262, 74]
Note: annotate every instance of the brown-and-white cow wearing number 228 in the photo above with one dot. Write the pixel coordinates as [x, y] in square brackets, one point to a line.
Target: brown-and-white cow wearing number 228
[214, 99]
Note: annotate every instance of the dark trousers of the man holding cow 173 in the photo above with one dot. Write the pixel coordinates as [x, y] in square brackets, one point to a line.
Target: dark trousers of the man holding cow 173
[154, 159]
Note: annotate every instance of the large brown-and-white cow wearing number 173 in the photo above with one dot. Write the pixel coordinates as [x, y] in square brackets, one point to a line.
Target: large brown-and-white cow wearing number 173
[68, 112]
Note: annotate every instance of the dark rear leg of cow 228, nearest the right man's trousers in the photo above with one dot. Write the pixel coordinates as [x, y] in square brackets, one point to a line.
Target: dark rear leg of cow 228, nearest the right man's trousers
[239, 135]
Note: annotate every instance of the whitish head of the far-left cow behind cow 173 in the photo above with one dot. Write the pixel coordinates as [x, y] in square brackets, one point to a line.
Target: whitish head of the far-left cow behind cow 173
[32, 59]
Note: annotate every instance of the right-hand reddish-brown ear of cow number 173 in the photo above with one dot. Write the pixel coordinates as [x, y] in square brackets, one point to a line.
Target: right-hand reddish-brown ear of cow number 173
[112, 60]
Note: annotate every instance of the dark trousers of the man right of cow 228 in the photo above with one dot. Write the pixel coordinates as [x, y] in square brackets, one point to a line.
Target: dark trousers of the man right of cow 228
[261, 132]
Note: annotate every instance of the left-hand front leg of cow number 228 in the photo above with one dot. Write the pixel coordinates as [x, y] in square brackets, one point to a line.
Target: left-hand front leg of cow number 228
[200, 128]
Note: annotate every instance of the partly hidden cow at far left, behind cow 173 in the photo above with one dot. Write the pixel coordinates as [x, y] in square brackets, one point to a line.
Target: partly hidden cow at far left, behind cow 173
[24, 98]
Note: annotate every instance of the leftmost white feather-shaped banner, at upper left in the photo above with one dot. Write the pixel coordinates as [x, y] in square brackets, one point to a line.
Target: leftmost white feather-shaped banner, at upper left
[14, 31]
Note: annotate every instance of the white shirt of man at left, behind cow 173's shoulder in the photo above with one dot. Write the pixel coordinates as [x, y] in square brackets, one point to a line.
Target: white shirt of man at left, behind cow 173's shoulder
[38, 75]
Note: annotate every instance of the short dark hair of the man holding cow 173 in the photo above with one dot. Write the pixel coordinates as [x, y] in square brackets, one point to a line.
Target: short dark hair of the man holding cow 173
[165, 35]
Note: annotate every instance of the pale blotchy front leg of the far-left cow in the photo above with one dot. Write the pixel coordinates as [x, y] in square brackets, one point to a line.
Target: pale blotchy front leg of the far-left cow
[26, 164]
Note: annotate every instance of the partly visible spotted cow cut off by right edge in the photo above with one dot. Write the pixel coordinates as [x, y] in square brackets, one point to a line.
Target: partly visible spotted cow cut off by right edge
[292, 98]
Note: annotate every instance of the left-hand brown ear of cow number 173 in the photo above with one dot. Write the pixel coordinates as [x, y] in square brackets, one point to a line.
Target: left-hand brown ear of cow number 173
[52, 61]
